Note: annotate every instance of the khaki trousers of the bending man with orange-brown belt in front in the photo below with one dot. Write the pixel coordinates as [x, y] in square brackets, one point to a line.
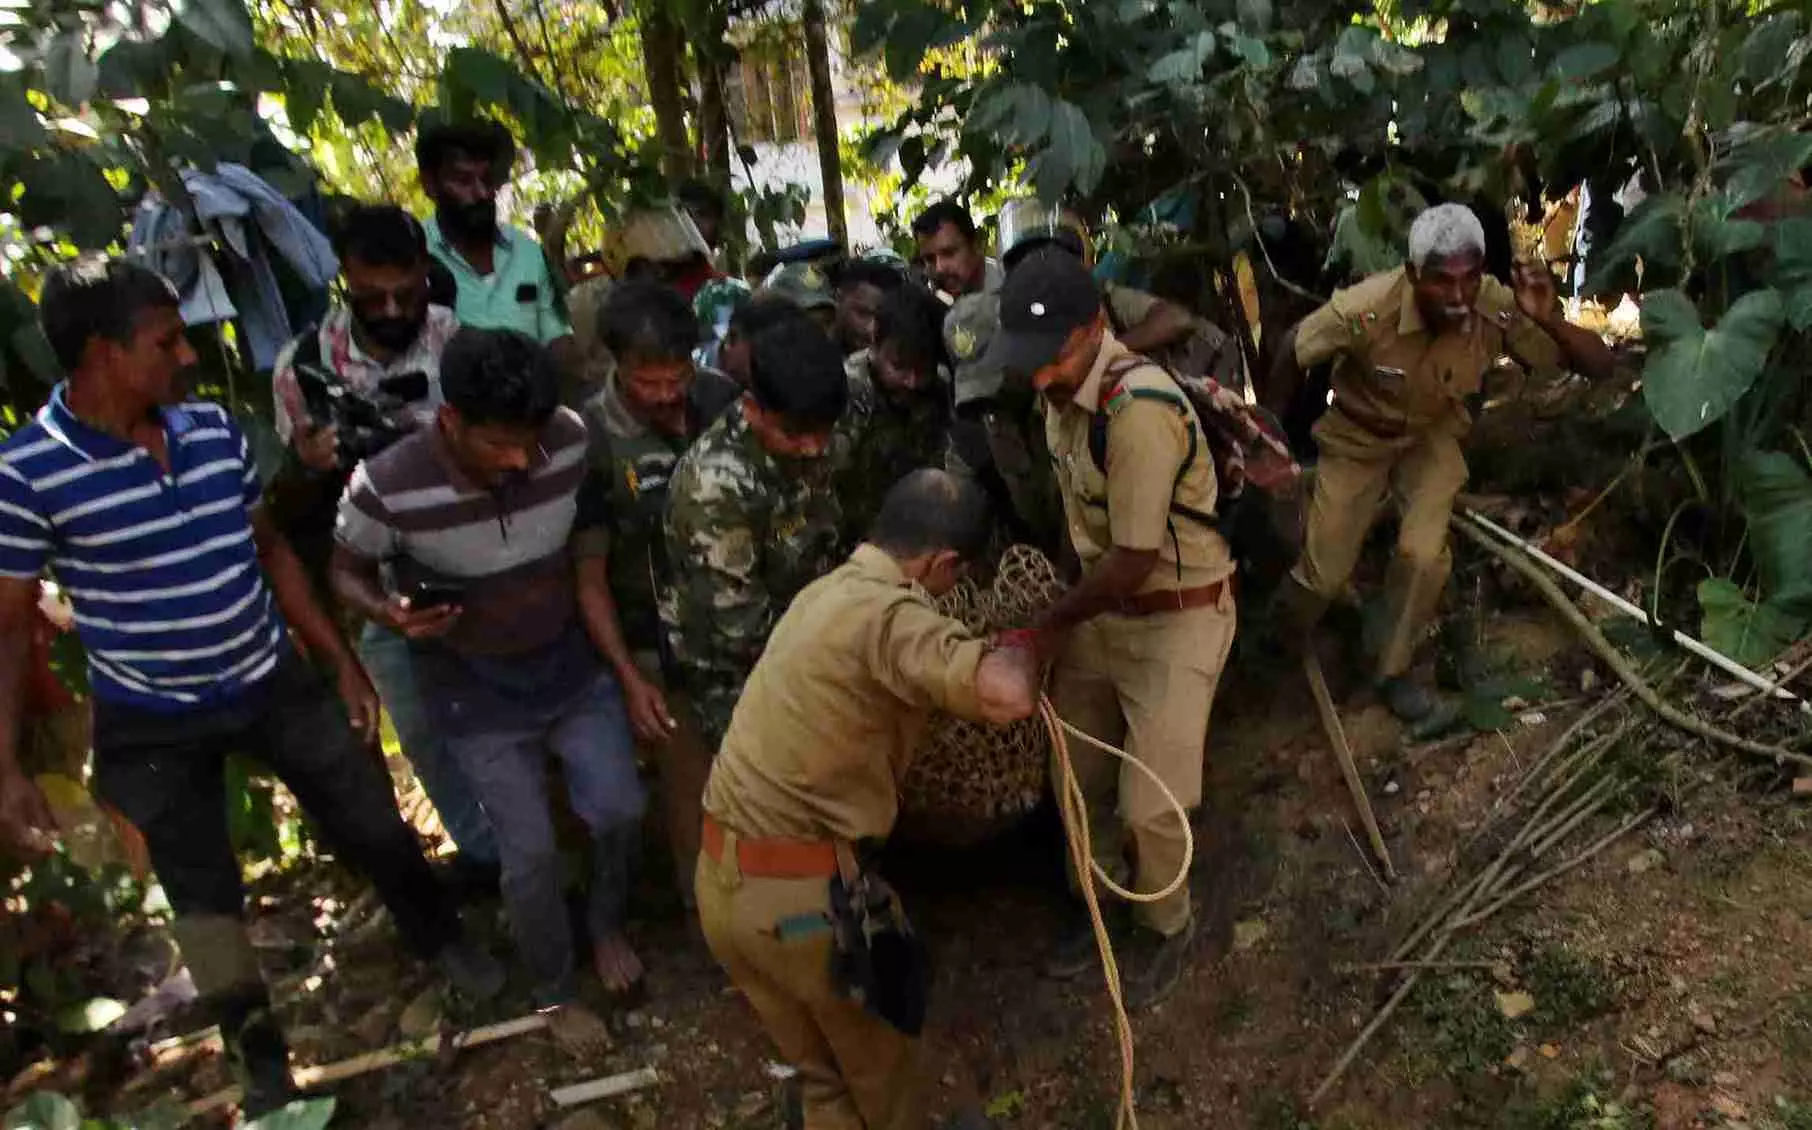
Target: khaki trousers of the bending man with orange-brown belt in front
[773, 937]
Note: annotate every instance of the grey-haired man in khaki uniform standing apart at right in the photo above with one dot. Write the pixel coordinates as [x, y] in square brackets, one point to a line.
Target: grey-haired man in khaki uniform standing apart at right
[1409, 349]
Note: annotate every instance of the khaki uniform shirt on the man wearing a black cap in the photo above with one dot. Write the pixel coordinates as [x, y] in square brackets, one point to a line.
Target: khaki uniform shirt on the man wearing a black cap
[1130, 503]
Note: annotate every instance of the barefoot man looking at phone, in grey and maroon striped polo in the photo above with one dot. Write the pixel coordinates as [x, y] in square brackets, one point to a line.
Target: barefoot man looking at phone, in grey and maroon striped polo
[497, 560]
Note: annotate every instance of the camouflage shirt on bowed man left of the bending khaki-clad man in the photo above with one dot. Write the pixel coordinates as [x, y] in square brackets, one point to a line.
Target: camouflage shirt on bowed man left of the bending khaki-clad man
[746, 533]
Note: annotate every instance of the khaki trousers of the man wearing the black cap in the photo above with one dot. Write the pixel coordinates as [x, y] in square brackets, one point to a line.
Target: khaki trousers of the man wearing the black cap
[1144, 684]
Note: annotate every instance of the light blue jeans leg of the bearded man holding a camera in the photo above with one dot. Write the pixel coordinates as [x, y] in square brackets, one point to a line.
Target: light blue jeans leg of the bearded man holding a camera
[387, 660]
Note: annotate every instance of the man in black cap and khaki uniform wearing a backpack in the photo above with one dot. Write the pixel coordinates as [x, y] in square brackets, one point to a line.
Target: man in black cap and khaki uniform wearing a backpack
[1148, 629]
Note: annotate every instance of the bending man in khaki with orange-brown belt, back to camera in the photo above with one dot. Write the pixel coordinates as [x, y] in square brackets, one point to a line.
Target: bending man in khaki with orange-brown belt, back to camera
[807, 781]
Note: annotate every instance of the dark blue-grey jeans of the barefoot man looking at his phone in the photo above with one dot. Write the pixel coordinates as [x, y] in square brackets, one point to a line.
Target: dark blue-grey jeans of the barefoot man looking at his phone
[508, 769]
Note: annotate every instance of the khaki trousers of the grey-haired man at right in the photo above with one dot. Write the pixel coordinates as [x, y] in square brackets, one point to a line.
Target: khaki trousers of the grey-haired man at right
[1353, 483]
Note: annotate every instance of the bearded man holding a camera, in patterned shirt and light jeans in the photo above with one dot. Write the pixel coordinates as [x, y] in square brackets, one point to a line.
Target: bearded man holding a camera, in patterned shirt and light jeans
[347, 390]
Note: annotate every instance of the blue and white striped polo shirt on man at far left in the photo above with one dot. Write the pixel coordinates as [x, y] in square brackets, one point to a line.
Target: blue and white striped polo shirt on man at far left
[162, 570]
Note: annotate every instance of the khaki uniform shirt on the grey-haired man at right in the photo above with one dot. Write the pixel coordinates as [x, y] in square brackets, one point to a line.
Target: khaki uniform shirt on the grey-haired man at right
[1394, 376]
